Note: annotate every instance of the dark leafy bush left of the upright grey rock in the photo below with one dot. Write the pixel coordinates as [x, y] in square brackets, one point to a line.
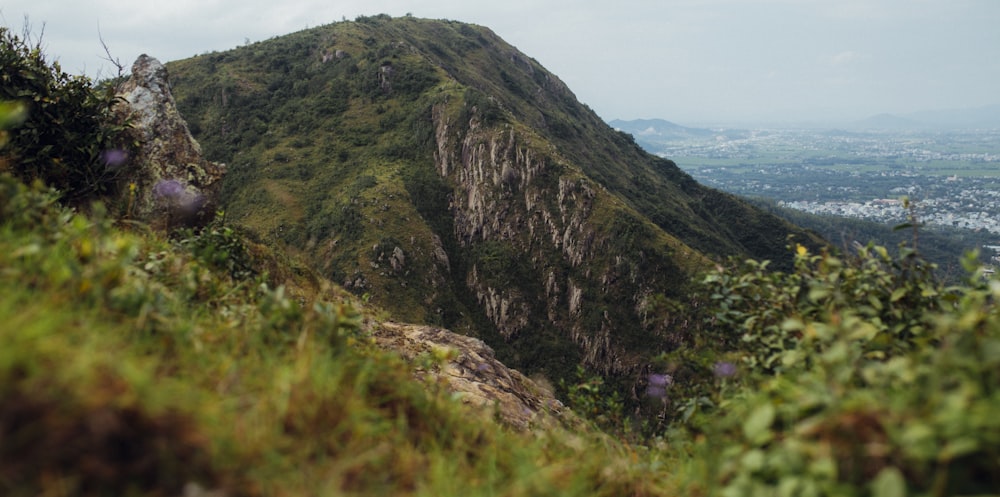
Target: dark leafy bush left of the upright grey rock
[66, 134]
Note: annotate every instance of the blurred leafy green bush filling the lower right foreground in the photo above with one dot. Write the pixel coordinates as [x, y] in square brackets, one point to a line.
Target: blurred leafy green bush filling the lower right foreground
[864, 377]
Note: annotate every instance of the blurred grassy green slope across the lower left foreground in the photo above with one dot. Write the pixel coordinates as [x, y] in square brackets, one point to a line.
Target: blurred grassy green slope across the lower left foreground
[129, 366]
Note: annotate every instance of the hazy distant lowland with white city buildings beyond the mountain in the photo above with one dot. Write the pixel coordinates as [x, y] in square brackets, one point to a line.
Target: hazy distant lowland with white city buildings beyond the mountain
[952, 178]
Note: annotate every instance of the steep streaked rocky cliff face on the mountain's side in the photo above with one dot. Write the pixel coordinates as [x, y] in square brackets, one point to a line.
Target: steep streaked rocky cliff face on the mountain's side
[550, 258]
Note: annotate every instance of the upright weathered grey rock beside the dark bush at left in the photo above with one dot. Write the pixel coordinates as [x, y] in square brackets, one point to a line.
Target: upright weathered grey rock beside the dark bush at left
[174, 184]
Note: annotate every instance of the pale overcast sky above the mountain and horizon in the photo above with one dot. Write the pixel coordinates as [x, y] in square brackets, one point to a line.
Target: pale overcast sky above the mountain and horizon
[688, 61]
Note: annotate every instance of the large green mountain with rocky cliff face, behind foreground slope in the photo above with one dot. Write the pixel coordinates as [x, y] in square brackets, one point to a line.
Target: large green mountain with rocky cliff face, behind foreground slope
[439, 172]
